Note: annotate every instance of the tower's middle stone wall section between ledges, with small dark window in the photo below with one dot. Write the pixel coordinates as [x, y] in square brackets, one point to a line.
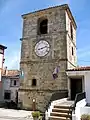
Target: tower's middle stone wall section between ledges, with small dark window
[43, 73]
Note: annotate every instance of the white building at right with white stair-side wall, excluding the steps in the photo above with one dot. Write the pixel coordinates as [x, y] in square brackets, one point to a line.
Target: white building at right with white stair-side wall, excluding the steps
[79, 83]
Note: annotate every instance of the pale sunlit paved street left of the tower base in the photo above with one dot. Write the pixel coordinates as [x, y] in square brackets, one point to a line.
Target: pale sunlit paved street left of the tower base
[10, 114]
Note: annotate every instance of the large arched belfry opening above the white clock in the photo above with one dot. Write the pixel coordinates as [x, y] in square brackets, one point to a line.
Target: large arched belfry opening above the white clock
[42, 26]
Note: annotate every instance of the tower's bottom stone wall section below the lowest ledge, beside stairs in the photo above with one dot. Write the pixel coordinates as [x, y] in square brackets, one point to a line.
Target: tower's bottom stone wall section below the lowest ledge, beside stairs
[41, 98]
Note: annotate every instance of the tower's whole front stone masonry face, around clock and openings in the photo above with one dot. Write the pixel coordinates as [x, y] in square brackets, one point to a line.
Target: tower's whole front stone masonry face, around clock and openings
[41, 68]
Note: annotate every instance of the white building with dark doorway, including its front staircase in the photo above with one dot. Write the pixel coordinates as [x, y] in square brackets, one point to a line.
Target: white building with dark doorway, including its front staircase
[78, 97]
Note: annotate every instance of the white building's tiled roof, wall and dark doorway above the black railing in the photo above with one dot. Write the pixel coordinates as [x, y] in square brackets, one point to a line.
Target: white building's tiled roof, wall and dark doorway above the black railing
[79, 81]
